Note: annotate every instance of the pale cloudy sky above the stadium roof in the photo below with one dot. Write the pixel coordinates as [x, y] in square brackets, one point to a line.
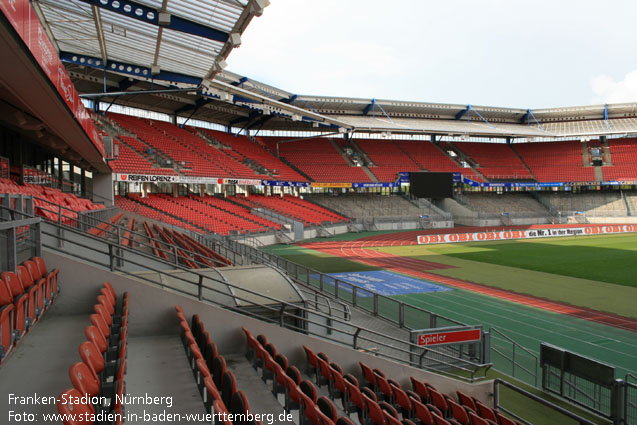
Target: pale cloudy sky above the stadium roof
[507, 53]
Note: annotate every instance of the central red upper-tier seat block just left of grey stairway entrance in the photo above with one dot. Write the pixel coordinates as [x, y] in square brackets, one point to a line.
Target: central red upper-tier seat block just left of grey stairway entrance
[317, 158]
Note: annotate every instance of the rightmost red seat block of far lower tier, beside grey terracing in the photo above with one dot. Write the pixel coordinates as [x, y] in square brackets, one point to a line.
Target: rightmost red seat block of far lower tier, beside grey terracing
[290, 206]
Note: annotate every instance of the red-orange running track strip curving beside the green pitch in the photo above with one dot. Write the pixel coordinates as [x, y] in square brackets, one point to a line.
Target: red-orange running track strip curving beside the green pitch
[357, 251]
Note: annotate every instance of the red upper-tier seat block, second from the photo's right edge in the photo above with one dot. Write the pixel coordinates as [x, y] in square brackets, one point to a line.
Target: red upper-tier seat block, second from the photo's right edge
[555, 161]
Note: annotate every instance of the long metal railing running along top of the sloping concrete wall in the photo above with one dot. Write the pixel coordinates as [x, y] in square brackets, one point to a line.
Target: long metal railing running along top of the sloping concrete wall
[224, 294]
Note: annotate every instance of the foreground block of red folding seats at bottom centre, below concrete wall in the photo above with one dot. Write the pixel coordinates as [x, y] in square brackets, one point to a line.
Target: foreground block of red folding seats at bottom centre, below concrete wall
[375, 399]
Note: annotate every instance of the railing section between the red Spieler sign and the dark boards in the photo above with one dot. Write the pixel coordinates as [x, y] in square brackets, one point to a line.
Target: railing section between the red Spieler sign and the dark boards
[513, 359]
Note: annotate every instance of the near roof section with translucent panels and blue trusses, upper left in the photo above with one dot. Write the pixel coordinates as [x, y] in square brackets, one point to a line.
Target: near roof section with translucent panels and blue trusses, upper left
[177, 37]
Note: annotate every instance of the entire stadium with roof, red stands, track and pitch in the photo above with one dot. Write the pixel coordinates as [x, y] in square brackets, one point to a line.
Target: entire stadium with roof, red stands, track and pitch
[185, 244]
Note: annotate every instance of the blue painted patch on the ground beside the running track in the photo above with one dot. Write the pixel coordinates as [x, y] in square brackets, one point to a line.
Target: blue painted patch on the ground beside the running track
[388, 283]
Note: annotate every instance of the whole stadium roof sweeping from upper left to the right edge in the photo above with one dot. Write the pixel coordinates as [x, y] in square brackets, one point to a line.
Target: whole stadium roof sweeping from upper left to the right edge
[168, 56]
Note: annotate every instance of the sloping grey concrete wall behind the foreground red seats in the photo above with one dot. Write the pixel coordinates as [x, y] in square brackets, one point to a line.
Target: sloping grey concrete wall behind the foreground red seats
[152, 313]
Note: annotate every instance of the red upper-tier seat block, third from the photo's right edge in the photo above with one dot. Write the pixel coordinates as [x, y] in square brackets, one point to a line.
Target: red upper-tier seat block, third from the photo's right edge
[495, 160]
